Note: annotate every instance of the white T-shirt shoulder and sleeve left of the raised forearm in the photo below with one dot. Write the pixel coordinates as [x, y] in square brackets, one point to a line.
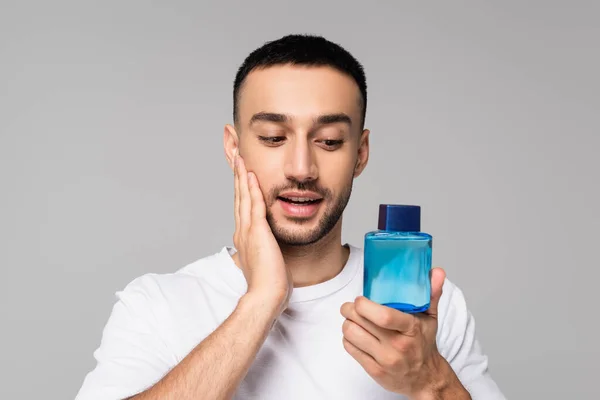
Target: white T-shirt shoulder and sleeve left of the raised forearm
[156, 320]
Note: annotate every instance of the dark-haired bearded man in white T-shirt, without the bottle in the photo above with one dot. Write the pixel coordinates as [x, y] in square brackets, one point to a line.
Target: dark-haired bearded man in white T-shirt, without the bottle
[280, 315]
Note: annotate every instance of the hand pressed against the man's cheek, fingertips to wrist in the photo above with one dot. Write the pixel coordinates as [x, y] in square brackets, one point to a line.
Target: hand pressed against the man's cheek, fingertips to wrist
[259, 254]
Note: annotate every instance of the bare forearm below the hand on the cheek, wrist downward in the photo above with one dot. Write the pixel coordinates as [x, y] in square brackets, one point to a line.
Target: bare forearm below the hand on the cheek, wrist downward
[217, 365]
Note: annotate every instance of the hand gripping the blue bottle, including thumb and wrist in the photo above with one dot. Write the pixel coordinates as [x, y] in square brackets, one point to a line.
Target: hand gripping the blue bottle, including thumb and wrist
[399, 350]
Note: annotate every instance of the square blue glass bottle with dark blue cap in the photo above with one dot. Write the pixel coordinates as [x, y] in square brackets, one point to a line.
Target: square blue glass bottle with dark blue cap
[397, 260]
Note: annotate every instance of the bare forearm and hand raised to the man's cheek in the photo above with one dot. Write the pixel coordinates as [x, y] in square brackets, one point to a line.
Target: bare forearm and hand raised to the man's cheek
[215, 368]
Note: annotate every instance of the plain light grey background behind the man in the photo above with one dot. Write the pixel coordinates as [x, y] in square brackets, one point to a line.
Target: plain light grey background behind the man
[111, 164]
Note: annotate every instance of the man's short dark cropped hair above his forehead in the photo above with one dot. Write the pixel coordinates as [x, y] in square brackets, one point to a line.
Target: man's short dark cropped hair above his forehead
[302, 49]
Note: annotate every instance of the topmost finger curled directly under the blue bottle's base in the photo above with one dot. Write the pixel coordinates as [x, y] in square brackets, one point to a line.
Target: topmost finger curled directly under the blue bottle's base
[385, 317]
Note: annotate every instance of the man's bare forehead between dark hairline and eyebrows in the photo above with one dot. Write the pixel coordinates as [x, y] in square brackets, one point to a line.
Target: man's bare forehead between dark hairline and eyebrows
[299, 91]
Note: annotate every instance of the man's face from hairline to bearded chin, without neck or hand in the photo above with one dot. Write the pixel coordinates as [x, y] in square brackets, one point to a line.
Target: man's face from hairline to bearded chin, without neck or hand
[299, 132]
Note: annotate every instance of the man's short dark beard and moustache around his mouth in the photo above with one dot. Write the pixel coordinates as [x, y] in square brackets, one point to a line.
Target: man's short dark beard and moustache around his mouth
[296, 236]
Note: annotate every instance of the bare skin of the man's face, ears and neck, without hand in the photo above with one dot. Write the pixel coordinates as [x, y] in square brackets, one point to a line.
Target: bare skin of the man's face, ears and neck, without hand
[302, 156]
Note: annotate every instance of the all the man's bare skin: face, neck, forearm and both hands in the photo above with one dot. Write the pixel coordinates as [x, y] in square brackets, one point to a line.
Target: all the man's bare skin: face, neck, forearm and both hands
[277, 253]
